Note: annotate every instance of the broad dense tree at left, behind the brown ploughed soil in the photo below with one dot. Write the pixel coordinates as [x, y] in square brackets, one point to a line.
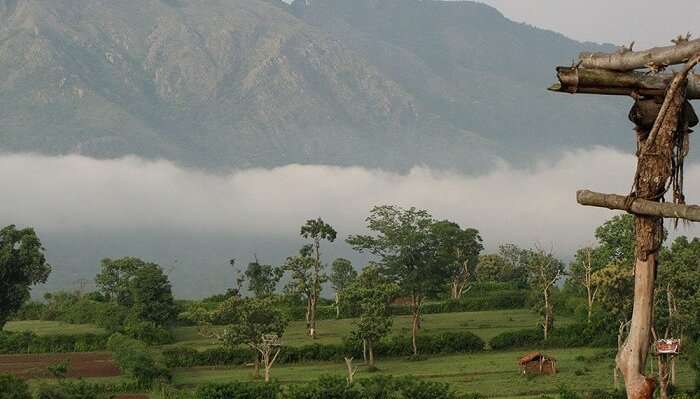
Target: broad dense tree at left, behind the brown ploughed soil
[139, 286]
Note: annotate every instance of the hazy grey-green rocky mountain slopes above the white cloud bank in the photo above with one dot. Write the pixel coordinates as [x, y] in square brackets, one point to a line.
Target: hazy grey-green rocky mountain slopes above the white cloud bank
[240, 83]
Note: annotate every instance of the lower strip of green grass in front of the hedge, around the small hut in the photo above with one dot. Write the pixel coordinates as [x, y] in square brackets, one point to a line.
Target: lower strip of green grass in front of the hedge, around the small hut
[494, 374]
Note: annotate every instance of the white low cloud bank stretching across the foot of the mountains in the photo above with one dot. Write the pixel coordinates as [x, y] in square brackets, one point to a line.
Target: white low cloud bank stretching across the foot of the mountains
[74, 193]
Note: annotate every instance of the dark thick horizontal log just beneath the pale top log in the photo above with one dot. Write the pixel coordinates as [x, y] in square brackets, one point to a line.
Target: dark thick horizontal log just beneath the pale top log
[599, 81]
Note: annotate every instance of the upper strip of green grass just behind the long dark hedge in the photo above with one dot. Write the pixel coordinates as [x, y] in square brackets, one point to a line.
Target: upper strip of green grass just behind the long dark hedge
[485, 324]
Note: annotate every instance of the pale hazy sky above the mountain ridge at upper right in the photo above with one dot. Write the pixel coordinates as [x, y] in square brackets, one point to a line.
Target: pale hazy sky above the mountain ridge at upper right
[649, 23]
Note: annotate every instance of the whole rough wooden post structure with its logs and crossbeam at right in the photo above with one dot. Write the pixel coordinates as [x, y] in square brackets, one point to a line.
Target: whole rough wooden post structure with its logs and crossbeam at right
[658, 157]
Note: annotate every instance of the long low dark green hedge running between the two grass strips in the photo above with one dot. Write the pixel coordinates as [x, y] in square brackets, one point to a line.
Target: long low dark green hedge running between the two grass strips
[462, 342]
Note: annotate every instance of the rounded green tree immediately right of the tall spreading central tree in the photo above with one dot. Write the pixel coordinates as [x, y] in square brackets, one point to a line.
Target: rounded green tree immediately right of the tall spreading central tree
[459, 250]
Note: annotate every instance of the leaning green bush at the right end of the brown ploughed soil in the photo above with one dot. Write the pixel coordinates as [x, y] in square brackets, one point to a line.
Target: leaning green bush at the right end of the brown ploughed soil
[134, 358]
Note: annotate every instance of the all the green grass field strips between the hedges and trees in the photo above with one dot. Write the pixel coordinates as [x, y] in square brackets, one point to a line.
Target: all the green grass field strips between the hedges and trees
[494, 374]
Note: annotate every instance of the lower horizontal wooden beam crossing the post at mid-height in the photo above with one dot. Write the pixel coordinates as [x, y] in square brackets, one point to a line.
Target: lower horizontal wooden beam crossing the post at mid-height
[639, 206]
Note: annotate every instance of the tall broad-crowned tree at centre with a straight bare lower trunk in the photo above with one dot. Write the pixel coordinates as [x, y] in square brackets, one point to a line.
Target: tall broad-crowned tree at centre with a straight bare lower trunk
[407, 250]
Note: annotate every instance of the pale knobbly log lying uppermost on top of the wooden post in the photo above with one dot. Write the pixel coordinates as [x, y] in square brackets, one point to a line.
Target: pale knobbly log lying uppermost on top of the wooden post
[628, 60]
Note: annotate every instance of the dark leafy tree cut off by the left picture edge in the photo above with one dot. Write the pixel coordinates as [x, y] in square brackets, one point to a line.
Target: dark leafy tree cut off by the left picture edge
[22, 265]
